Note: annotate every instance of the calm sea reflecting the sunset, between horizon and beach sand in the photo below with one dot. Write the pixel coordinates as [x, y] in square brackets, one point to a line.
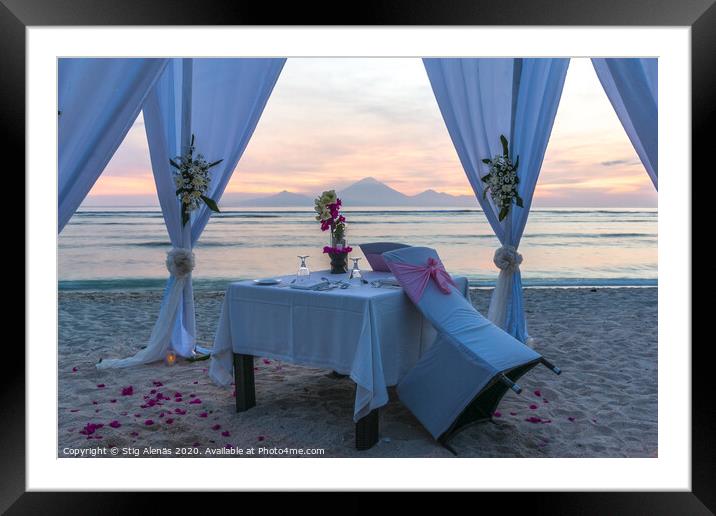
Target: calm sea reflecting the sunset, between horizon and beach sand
[125, 247]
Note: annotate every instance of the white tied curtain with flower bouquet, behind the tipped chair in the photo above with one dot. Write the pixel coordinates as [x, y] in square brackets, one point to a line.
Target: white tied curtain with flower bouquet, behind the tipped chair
[480, 99]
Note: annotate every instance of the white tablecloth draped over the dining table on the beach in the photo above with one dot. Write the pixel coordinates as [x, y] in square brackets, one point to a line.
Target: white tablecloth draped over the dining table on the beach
[374, 335]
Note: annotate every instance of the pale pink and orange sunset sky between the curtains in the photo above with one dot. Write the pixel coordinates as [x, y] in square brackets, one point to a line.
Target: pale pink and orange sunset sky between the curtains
[330, 122]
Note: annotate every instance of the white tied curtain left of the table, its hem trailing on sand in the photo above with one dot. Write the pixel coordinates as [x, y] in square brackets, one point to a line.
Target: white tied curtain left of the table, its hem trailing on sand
[221, 106]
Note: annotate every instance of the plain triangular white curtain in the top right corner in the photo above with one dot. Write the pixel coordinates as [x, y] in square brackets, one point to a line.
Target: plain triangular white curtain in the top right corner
[632, 87]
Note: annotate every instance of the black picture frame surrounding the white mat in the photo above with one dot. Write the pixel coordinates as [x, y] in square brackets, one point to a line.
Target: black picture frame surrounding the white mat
[700, 15]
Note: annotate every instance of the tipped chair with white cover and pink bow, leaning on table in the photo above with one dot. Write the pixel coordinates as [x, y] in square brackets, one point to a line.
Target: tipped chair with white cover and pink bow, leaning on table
[462, 377]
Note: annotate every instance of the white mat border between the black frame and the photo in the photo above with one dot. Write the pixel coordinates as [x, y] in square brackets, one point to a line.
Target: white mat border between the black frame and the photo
[670, 471]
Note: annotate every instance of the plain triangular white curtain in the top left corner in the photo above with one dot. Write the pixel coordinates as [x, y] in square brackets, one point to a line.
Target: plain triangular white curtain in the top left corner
[98, 101]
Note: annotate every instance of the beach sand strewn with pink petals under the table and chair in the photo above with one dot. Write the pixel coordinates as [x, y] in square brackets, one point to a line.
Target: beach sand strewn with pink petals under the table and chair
[605, 341]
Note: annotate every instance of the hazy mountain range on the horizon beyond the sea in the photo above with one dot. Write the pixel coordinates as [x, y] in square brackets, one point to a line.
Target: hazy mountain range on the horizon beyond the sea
[366, 192]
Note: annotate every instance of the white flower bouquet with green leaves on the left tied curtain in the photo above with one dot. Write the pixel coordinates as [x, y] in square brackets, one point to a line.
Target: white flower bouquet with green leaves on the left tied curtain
[192, 180]
